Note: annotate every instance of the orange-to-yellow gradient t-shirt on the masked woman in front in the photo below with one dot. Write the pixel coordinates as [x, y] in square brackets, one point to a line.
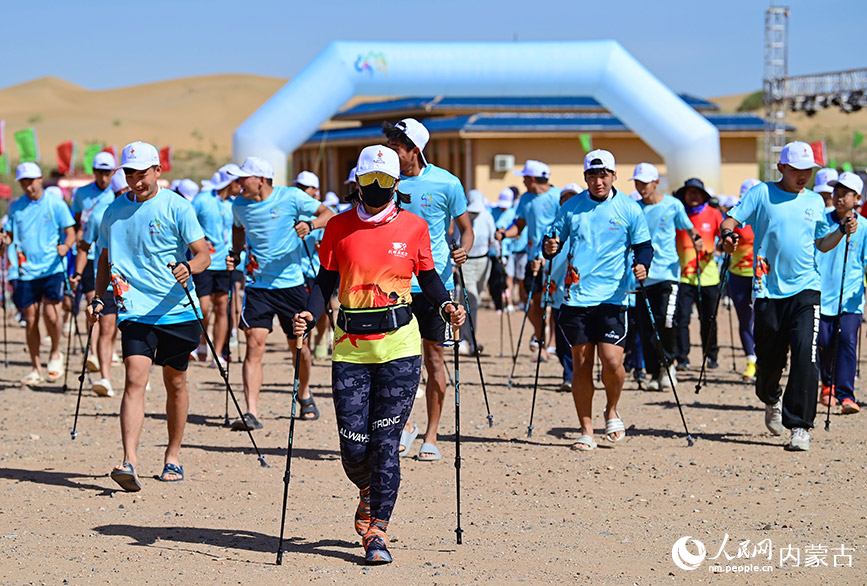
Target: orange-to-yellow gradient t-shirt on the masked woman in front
[376, 263]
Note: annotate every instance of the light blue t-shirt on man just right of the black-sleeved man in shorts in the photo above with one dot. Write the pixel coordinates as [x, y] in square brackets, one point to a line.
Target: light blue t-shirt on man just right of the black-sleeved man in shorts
[663, 219]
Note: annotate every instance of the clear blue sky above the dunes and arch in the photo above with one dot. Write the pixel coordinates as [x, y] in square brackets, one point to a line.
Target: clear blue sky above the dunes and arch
[699, 47]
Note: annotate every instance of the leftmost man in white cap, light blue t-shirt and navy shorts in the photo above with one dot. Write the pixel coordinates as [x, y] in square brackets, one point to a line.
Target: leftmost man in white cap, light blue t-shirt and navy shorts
[33, 224]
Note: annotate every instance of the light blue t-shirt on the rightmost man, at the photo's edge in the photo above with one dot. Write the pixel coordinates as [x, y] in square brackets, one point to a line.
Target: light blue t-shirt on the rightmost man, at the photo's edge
[831, 270]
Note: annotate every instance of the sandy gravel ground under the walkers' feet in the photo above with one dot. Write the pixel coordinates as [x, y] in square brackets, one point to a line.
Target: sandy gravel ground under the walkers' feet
[533, 510]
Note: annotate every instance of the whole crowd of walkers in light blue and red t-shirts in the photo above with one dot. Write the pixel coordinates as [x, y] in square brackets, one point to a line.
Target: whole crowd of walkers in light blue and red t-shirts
[370, 277]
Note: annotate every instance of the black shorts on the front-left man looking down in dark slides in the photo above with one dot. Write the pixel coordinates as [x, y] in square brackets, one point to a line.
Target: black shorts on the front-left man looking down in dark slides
[166, 345]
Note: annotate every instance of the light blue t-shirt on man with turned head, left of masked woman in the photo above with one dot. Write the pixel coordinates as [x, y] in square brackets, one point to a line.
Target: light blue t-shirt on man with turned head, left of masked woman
[273, 248]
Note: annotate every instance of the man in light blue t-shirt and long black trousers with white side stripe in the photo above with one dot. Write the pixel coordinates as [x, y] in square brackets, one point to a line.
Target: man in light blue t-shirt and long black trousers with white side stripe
[789, 222]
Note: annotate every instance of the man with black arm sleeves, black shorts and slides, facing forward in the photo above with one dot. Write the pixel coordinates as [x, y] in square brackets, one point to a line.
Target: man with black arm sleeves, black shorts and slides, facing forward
[601, 224]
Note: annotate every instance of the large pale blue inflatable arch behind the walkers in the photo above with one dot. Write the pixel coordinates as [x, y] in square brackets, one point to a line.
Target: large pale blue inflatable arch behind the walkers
[687, 142]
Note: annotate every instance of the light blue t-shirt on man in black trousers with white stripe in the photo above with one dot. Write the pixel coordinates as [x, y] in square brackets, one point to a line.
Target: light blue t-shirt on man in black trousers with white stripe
[786, 226]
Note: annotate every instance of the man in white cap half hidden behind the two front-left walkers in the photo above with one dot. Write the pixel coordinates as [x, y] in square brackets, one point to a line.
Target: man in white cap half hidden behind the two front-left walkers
[214, 212]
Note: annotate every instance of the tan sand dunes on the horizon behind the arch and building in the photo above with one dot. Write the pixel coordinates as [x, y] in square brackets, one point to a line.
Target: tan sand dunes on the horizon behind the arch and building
[201, 113]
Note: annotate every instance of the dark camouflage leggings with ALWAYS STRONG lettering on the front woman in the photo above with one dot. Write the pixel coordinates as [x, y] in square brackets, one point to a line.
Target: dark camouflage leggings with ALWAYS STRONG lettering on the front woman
[373, 402]
